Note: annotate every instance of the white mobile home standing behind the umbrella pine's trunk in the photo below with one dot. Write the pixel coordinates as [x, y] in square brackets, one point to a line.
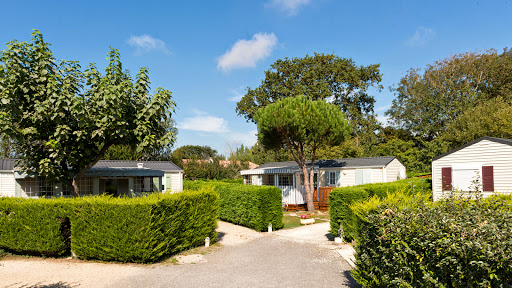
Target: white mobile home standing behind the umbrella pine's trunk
[328, 173]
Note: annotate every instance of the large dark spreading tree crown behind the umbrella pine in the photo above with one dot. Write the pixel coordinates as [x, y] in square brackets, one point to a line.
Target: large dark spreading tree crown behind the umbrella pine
[320, 77]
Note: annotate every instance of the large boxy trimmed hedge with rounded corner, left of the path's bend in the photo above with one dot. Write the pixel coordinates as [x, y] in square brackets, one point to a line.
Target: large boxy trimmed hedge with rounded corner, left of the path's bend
[143, 229]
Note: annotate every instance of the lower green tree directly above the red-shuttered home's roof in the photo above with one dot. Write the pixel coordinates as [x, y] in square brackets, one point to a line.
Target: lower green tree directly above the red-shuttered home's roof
[490, 118]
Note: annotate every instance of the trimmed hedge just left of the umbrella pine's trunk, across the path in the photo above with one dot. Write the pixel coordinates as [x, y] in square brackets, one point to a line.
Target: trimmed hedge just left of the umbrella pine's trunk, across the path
[247, 205]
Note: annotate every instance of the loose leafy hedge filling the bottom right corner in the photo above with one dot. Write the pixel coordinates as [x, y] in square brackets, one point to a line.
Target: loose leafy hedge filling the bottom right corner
[450, 243]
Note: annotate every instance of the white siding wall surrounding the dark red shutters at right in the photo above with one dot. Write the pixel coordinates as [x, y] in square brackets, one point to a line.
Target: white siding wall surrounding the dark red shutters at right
[483, 153]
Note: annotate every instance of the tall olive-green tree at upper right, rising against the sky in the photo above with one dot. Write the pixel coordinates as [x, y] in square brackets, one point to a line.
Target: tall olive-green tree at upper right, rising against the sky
[429, 99]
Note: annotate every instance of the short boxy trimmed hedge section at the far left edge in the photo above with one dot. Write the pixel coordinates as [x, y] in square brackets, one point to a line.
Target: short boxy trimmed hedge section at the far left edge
[35, 227]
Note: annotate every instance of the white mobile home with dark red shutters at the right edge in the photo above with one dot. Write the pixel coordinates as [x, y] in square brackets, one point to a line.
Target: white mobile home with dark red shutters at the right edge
[485, 162]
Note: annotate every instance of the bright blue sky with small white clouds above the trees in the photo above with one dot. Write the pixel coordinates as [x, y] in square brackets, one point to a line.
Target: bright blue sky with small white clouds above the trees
[207, 52]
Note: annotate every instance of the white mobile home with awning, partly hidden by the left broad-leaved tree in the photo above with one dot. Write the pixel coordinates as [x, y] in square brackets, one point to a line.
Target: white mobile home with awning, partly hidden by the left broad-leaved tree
[114, 177]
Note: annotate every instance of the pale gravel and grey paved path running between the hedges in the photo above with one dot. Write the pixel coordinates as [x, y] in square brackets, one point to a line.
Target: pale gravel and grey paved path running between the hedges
[246, 259]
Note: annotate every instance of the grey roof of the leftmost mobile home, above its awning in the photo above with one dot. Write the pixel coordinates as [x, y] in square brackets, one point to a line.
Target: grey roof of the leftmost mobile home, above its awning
[10, 164]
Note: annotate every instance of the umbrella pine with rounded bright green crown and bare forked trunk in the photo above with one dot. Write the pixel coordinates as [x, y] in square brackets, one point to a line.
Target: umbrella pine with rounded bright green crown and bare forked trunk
[300, 124]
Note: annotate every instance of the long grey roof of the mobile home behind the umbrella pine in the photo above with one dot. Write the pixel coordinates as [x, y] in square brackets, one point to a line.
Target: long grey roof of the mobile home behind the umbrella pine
[335, 163]
